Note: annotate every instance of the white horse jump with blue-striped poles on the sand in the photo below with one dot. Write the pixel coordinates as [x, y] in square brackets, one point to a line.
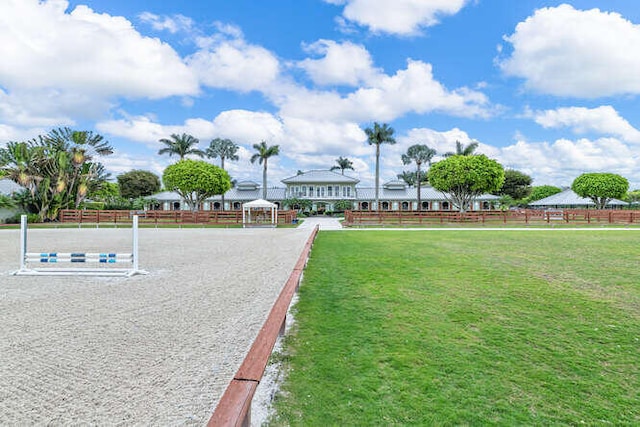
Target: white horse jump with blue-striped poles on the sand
[106, 259]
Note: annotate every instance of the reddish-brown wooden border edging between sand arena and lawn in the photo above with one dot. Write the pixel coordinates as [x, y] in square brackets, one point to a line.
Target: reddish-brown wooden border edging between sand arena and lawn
[234, 408]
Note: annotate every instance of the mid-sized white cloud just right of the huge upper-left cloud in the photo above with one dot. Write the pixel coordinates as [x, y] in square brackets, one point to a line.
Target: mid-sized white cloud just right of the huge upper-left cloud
[226, 61]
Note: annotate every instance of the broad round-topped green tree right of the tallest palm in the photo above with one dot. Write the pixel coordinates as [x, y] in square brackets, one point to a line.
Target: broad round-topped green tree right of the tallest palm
[466, 177]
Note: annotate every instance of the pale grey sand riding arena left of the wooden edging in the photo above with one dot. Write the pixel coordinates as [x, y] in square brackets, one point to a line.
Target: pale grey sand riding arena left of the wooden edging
[154, 349]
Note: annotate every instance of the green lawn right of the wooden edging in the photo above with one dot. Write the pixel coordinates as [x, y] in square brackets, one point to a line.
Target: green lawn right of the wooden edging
[466, 328]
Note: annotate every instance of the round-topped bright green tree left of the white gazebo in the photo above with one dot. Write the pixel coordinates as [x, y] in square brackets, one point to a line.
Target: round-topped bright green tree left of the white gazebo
[195, 180]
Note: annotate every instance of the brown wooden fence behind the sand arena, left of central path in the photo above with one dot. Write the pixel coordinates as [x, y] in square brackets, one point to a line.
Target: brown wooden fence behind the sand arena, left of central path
[163, 217]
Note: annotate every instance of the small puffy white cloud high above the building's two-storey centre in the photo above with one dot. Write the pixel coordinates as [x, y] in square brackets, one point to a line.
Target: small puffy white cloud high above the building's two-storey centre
[342, 63]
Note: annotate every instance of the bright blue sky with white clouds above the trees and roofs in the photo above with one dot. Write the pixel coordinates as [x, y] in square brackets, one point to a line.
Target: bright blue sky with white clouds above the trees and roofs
[549, 88]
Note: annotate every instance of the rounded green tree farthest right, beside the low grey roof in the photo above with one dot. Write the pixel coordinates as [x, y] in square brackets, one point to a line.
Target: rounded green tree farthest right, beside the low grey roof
[600, 187]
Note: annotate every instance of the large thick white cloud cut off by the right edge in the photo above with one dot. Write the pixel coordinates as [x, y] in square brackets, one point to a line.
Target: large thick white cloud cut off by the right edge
[567, 52]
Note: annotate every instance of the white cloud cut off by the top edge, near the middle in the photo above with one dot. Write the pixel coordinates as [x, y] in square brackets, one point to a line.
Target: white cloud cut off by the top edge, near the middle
[400, 17]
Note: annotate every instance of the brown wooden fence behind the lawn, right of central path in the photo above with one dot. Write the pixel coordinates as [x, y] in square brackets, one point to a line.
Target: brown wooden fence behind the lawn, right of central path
[514, 217]
